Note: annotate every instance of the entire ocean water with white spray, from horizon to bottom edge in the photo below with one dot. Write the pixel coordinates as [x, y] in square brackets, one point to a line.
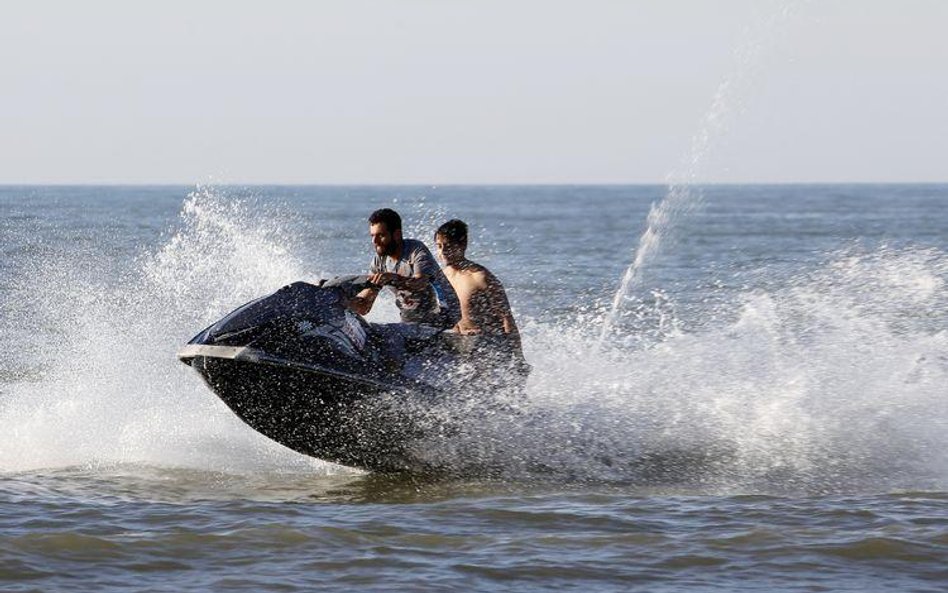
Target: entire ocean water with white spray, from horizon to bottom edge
[762, 405]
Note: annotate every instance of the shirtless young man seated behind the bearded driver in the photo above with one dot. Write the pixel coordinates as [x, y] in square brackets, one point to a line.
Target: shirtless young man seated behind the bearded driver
[484, 306]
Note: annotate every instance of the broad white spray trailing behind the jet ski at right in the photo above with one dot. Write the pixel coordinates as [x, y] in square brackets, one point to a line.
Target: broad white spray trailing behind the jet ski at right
[831, 382]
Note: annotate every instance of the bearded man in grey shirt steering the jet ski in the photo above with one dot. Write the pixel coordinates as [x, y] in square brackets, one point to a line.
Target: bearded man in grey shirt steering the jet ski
[422, 292]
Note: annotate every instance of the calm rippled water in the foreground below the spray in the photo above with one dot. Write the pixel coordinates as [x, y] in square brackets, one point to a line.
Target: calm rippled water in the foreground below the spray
[167, 530]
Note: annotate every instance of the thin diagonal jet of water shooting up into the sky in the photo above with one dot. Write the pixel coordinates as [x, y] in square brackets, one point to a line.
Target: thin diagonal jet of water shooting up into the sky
[683, 196]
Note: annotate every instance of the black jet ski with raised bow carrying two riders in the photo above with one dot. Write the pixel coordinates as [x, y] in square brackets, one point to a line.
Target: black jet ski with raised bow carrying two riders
[304, 370]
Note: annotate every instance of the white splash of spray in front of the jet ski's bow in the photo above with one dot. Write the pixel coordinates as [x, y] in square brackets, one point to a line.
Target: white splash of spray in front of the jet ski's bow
[111, 391]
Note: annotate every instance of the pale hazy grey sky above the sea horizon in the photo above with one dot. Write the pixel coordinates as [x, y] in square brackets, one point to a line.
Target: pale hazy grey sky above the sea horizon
[452, 92]
